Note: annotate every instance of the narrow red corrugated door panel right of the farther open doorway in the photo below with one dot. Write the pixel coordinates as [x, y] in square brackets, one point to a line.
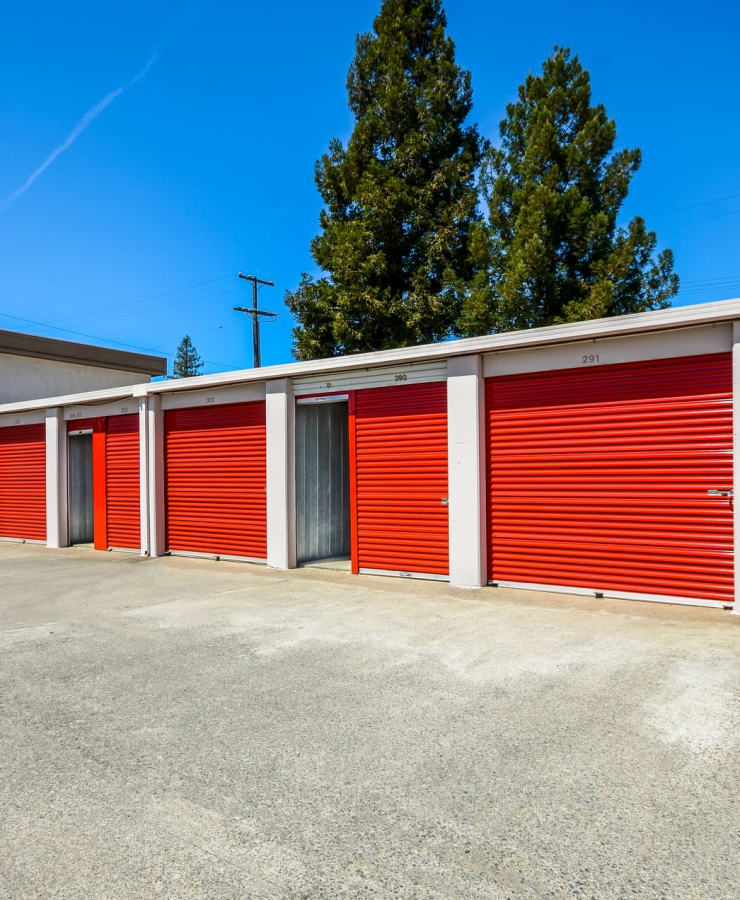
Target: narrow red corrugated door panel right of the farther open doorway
[123, 514]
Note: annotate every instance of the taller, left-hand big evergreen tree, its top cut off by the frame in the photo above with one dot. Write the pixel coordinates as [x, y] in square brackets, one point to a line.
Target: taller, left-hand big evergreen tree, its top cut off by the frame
[400, 199]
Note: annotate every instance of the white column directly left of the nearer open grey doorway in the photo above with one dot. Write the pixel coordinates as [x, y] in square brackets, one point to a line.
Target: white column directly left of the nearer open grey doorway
[280, 435]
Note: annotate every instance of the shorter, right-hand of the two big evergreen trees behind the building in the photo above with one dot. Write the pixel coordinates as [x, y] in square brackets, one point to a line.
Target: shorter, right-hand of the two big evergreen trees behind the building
[555, 187]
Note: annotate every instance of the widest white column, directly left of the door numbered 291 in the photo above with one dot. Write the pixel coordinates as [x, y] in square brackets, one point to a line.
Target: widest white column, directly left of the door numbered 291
[466, 466]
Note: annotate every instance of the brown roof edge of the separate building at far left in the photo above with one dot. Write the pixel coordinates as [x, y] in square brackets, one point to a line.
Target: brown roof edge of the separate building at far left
[17, 343]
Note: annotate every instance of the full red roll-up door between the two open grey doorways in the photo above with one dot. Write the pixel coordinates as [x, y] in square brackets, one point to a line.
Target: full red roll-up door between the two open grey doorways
[215, 469]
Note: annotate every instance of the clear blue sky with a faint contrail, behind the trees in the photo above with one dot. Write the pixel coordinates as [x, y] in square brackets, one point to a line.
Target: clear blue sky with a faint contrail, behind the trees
[204, 165]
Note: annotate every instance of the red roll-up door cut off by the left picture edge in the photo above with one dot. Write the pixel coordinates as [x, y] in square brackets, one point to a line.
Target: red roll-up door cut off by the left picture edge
[23, 482]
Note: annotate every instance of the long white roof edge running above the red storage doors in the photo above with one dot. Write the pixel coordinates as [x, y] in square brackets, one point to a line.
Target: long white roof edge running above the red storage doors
[636, 323]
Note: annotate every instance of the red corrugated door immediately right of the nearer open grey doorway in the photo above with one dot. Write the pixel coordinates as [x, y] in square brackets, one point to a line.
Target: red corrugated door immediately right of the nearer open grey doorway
[401, 478]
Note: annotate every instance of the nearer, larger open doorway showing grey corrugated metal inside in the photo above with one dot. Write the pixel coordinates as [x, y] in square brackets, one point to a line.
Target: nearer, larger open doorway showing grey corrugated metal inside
[322, 481]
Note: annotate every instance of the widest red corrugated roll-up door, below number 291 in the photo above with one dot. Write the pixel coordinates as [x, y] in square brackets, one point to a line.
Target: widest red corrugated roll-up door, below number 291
[598, 478]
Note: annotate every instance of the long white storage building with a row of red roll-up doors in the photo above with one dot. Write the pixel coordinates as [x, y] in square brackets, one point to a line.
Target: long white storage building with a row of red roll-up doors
[594, 457]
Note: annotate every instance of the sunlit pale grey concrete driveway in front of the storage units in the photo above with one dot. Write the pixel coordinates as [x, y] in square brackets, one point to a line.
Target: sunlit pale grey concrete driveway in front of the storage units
[199, 729]
